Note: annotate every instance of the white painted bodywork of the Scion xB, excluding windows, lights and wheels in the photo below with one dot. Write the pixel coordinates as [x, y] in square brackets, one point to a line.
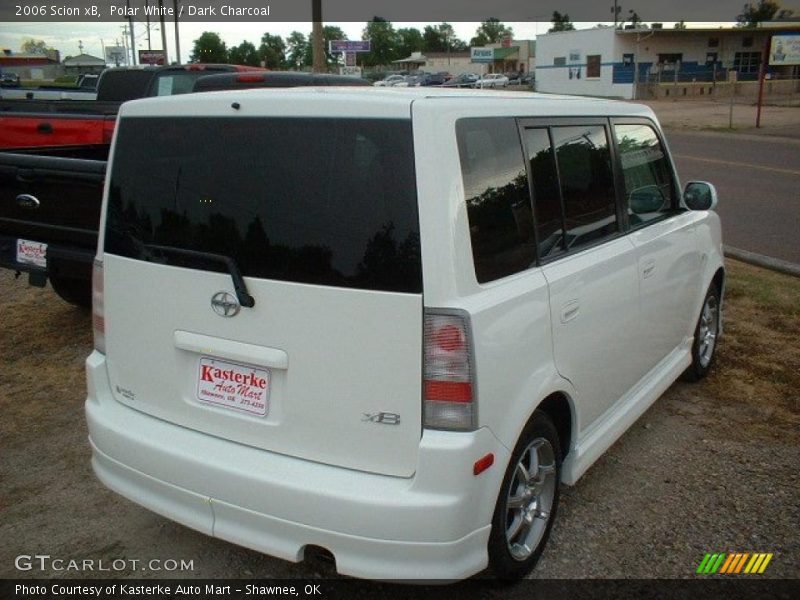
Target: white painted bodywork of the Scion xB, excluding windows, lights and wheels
[342, 459]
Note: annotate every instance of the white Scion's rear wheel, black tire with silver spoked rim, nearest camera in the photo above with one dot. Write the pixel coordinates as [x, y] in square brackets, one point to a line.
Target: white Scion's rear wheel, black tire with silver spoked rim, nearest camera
[509, 558]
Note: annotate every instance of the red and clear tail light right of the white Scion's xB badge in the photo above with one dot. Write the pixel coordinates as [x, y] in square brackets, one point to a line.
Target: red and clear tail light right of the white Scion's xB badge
[449, 392]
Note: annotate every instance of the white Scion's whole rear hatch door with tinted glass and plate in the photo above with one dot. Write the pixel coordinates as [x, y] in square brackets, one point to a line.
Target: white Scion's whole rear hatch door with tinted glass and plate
[320, 216]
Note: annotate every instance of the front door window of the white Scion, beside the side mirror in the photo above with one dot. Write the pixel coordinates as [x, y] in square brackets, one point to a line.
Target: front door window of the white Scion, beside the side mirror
[649, 190]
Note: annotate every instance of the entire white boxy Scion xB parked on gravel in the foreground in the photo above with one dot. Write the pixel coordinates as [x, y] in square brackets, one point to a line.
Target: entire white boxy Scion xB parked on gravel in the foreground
[388, 323]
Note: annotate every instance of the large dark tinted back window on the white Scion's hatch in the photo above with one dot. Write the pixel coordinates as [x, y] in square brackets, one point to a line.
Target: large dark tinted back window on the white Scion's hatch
[322, 201]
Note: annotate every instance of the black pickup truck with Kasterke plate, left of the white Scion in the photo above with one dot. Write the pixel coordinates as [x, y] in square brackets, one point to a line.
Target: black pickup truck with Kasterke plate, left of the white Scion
[50, 197]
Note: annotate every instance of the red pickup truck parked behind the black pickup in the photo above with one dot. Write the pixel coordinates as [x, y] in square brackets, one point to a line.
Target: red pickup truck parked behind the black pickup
[30, 123]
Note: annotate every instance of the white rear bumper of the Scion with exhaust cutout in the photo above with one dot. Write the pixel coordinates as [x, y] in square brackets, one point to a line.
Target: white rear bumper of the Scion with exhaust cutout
[434, 525]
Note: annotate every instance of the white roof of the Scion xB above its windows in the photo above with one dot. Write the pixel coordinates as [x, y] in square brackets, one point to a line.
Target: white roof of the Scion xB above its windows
[373, 102]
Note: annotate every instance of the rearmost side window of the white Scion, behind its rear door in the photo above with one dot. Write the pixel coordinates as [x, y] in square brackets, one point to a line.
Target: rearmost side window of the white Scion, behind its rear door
[497, 195]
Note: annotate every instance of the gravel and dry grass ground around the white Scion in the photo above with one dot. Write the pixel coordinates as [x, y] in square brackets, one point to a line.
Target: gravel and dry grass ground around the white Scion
[709, 468]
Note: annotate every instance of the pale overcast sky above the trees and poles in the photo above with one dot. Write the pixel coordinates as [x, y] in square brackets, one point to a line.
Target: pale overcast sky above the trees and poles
[66, 37]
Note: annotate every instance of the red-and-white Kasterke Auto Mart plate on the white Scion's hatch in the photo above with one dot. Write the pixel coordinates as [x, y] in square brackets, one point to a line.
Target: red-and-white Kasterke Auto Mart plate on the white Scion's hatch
[234, 386]
